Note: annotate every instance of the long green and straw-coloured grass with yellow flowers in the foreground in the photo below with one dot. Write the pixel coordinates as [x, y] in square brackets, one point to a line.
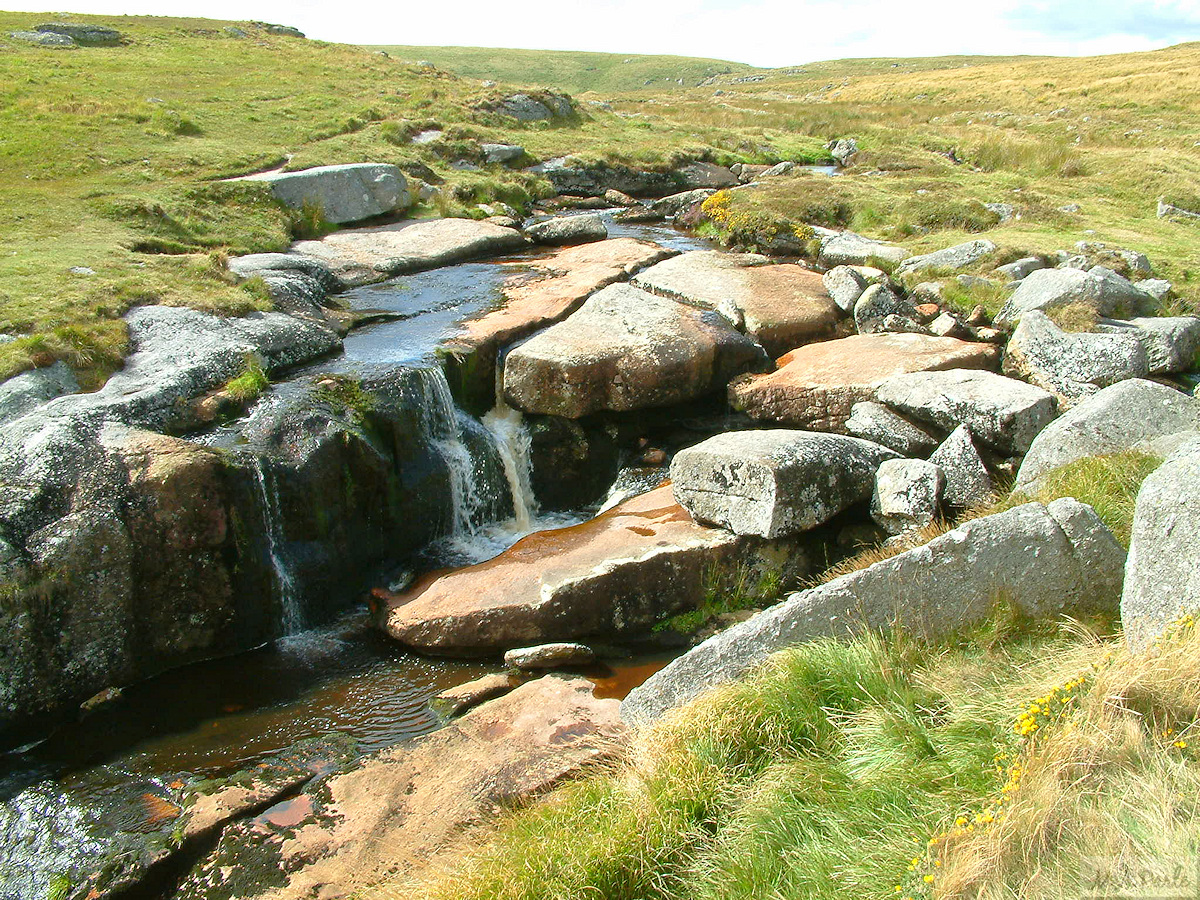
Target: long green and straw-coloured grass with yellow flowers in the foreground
[1009, 763]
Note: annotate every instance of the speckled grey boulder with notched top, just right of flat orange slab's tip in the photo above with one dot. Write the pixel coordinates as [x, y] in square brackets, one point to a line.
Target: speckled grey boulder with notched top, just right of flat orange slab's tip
[1072, 365]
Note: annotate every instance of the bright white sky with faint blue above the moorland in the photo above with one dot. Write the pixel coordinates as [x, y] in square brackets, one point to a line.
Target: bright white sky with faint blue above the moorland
[763, 33]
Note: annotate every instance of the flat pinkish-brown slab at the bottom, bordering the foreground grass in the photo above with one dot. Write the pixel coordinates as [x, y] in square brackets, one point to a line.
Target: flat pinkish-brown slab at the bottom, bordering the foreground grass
[394, 813]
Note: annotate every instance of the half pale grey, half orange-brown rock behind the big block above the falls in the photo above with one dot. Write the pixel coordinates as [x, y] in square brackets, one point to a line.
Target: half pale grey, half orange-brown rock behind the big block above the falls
[783, 307]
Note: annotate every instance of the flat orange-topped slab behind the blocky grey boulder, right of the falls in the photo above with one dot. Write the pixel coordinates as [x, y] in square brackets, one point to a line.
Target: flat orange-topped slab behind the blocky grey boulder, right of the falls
[818, 386]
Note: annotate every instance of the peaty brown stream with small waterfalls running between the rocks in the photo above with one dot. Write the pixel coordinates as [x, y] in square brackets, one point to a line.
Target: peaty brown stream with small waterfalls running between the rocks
[220, 717]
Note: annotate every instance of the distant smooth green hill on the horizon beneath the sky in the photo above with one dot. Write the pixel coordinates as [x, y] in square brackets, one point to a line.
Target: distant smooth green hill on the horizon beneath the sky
[571, 70]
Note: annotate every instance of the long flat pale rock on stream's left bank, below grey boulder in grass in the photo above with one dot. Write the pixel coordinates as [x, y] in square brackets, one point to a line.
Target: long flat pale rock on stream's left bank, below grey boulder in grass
[361, 256]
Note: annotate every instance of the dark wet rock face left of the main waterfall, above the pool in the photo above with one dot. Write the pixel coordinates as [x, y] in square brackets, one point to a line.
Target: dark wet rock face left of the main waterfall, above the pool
[130, 553]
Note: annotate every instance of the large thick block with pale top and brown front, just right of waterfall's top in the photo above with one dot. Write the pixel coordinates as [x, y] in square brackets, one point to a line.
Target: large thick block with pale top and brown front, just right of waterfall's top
[627, 350]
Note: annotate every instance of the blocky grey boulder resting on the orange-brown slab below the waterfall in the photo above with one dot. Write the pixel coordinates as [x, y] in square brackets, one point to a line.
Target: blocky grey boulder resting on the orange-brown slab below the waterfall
[775, 483]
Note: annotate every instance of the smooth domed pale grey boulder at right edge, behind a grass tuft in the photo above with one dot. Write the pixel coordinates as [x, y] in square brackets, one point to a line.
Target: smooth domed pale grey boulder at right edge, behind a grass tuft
[1115, 419]
